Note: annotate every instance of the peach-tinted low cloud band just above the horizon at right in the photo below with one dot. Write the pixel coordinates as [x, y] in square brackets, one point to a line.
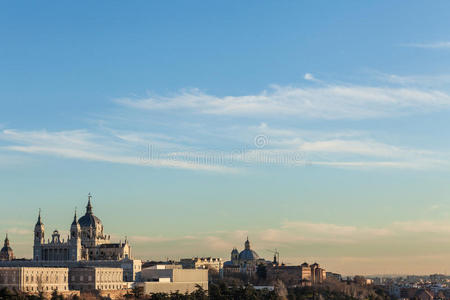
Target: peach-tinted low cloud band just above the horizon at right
[289, 236]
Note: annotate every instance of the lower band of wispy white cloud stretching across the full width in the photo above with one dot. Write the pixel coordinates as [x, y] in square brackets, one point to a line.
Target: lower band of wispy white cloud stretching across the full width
[284, 147]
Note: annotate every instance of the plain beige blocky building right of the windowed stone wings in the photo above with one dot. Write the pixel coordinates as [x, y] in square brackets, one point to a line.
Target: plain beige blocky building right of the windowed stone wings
[156, 280]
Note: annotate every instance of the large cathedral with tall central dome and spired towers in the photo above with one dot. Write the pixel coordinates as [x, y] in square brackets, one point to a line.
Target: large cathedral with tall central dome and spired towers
[86, 242]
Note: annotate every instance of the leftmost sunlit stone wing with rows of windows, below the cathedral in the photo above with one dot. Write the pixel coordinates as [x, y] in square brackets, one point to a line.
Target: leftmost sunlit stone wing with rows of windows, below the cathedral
[34, 280]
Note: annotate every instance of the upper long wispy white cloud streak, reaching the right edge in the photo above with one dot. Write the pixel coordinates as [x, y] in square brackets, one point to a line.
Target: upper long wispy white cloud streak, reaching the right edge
[326, 102]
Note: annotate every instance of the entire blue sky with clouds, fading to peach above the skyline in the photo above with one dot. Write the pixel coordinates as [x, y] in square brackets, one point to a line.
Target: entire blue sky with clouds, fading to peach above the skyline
[317, 128]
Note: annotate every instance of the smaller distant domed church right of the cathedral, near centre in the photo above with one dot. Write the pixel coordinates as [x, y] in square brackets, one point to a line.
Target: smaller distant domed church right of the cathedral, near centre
[245, 261]
